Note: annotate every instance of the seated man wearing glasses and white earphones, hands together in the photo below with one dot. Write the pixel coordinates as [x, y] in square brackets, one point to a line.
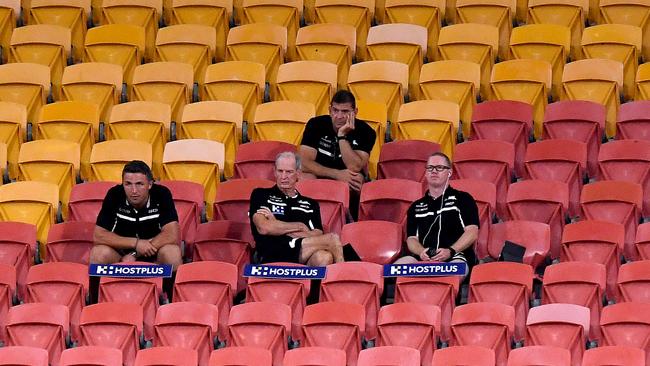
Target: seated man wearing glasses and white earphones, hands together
[443, 225]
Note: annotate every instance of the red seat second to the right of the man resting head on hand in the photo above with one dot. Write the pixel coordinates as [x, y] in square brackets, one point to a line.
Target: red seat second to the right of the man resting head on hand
[486, 160]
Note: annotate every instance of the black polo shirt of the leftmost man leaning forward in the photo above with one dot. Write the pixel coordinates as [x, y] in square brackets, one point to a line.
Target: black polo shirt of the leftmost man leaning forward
[118, 216]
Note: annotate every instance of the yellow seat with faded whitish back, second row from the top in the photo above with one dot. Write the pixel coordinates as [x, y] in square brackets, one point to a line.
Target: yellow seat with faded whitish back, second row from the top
[405, 43]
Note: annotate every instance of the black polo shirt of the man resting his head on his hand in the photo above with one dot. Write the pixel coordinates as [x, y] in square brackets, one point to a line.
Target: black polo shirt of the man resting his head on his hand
[319, 134]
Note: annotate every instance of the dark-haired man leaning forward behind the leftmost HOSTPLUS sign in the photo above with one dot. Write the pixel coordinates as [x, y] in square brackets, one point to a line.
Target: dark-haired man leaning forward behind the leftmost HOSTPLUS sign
[137, 221]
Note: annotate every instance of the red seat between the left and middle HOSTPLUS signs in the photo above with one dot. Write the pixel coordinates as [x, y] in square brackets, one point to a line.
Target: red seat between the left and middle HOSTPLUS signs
[209, 282]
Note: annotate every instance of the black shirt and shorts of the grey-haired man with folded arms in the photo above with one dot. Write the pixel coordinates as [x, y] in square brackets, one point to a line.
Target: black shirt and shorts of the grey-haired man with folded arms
[282, 248]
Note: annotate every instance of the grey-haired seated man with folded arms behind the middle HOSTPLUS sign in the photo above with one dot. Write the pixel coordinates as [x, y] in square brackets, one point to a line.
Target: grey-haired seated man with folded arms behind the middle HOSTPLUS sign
[286, 225]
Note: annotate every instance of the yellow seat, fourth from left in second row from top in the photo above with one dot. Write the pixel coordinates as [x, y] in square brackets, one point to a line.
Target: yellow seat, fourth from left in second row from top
[258, 42]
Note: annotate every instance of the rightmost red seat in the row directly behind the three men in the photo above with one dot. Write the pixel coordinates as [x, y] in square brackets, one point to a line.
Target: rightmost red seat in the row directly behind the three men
[614, 201]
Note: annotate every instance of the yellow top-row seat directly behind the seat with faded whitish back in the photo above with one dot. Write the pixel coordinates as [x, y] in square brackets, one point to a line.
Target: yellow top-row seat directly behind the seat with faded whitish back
[425, 13]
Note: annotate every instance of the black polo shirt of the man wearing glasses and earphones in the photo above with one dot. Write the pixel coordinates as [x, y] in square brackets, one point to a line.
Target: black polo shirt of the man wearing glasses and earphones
[425, 216]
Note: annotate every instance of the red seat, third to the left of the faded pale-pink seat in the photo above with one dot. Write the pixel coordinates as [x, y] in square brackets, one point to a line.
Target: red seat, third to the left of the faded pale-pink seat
[335, 325]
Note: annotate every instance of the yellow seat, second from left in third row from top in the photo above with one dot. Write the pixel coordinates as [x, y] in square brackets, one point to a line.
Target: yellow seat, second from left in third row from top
[93, 82]
